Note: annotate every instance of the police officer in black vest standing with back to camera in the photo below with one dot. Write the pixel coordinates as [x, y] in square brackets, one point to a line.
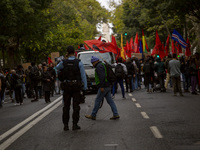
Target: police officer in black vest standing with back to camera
[73, 78]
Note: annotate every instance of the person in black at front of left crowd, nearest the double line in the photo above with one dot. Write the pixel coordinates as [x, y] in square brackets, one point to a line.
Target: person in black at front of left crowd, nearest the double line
[46, 80]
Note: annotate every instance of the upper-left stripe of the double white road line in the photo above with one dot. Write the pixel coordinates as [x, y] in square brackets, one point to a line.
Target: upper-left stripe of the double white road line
[28, 119]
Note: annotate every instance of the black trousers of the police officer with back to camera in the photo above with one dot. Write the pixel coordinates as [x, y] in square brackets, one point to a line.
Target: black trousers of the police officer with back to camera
[68, 95]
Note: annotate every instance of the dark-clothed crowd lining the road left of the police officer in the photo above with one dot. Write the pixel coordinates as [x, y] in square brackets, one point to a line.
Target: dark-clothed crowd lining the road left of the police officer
[35, 83]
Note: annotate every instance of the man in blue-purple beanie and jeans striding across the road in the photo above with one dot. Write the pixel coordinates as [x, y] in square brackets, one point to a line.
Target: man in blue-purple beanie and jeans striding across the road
[104, 90]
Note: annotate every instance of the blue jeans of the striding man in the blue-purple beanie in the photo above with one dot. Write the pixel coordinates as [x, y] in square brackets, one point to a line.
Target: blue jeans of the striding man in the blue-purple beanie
[99, 99]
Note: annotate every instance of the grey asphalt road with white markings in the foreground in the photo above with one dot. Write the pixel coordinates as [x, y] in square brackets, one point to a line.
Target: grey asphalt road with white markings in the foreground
[157, 121]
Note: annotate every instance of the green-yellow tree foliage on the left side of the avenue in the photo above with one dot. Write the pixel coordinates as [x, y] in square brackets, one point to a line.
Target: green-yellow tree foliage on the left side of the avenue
[31, 29]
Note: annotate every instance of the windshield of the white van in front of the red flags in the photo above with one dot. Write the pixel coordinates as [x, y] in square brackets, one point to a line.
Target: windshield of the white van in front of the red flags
[86, 57]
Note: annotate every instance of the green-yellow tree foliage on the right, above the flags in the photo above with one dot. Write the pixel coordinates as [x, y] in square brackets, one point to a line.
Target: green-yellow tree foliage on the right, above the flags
[150, 15]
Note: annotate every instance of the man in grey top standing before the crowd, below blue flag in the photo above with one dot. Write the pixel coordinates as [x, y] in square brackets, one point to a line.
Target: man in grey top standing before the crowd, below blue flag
[175, 72]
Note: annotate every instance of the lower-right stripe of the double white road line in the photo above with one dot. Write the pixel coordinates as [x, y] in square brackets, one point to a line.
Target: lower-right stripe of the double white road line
[13, 138]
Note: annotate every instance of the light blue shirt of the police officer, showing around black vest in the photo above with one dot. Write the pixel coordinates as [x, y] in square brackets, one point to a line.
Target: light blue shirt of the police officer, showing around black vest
[82, 71]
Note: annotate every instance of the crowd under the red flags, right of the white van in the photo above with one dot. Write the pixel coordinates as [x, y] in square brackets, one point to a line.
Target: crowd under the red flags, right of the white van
[158, 75]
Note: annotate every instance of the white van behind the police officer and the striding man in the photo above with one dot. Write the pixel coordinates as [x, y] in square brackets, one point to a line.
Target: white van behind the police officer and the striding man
[85, 58]
